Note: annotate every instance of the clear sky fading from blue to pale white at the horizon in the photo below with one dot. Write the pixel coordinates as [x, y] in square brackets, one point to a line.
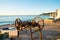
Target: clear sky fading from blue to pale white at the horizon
[28, 7]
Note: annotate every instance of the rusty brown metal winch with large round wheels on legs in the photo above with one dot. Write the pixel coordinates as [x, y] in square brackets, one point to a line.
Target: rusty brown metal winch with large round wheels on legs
[36, 22]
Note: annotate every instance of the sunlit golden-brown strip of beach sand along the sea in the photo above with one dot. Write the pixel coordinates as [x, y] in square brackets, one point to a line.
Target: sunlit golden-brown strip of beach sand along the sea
[48, 26]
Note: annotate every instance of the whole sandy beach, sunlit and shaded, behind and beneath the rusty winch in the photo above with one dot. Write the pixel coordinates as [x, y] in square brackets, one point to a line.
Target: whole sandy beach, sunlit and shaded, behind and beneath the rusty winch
[51, 31]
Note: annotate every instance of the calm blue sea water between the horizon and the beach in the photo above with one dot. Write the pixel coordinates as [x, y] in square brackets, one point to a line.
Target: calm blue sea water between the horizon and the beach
[10, 19]
